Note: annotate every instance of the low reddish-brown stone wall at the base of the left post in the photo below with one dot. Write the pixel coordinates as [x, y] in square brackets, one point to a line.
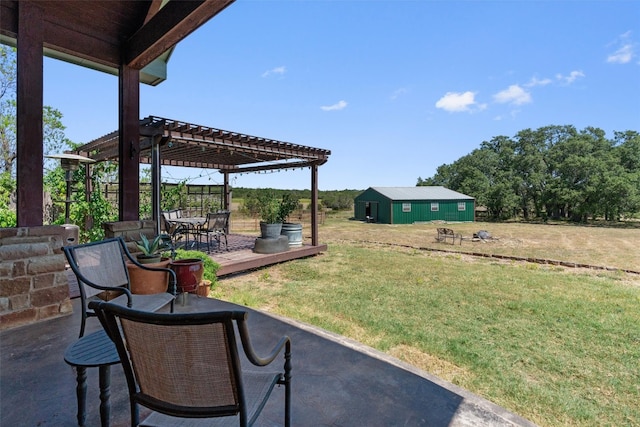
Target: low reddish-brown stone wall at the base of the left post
[33, 282]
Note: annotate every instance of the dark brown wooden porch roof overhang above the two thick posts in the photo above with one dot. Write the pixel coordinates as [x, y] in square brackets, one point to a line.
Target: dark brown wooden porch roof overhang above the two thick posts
[102, 35]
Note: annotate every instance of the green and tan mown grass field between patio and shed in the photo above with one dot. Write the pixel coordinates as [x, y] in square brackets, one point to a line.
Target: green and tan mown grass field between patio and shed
[558, 346]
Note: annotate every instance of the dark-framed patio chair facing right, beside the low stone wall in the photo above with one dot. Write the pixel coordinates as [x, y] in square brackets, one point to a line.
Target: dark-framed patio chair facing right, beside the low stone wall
[100, 267]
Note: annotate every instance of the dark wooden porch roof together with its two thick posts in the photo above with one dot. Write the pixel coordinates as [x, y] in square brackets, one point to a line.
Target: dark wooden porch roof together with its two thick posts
[131, 39]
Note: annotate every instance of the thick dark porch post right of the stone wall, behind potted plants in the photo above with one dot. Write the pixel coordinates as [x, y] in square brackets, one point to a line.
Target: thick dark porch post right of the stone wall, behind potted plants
[129, 143]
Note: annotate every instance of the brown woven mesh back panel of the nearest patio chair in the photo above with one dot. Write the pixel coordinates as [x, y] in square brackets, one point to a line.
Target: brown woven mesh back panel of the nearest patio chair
[171, 361]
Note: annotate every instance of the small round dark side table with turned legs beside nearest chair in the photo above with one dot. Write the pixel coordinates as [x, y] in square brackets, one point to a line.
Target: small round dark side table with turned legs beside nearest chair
[90, 351]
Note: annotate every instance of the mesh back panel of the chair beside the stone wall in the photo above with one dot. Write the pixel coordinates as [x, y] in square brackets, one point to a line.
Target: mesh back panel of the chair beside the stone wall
[101, 264]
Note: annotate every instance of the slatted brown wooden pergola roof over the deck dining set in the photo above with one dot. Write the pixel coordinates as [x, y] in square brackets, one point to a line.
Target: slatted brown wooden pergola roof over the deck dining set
[190, 145]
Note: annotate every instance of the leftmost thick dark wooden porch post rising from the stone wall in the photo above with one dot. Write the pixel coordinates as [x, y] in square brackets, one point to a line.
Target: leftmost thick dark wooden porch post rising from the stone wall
[29, 144]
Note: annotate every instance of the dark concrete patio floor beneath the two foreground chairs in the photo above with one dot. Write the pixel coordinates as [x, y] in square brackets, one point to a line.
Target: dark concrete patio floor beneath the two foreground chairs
[336, 382]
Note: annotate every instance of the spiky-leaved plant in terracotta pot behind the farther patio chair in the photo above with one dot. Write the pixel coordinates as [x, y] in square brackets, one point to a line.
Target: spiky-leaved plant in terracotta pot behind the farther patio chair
[144, 281]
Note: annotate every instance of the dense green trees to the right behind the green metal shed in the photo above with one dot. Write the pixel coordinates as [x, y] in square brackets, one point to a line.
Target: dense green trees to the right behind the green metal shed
[552, 172]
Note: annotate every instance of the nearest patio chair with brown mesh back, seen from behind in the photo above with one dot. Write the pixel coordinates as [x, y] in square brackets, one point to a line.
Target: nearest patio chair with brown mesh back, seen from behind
[186, 367]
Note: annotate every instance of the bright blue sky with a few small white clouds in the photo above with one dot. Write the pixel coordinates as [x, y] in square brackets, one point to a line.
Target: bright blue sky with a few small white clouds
[393, 88]
